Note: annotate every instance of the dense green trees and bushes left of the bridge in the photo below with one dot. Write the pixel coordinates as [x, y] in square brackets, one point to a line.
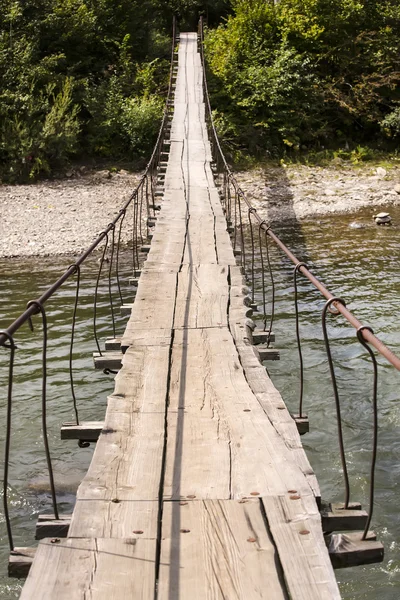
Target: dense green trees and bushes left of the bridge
[83, 78]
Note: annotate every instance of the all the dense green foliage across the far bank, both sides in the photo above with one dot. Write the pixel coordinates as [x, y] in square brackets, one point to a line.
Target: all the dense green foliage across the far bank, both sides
[83, 78]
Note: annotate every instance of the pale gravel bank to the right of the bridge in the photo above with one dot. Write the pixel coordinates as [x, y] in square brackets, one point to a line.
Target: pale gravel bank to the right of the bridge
[297, 191]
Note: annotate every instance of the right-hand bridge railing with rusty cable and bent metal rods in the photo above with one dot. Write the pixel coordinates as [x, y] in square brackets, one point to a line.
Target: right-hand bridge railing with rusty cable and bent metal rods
[249, 229]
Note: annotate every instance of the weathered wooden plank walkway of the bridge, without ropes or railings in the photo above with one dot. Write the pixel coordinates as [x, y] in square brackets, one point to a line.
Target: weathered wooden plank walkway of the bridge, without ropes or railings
[199, 486]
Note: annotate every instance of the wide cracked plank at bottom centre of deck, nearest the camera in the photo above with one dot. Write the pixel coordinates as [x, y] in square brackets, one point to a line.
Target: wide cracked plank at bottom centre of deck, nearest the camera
[218, 549]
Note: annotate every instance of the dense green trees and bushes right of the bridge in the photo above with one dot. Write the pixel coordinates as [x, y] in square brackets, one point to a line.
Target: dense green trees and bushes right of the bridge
[301, 74]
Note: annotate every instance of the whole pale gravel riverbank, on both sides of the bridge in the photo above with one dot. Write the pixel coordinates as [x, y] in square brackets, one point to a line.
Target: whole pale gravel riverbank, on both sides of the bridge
[64, 216]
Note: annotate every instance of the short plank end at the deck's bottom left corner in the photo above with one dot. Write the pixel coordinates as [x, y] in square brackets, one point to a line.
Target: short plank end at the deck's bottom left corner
[100, 569]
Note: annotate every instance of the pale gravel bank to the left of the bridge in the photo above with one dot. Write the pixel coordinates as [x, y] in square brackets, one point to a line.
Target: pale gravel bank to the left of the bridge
[61, 216]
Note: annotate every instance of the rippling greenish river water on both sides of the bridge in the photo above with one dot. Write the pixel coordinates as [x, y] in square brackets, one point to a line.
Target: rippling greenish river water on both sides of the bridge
[359, 265]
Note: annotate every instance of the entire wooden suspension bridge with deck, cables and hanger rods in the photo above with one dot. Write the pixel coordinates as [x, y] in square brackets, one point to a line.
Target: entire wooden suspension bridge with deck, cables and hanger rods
[199, 486]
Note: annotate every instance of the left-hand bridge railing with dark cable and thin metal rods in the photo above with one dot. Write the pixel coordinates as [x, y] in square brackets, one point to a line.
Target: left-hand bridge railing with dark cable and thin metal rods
[134, 220]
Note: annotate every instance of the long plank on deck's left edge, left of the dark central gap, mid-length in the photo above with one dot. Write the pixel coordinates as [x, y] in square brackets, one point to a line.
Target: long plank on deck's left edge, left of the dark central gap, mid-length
[127, 461]
